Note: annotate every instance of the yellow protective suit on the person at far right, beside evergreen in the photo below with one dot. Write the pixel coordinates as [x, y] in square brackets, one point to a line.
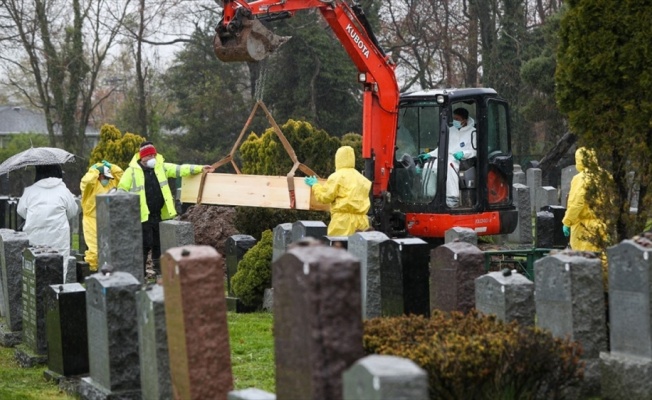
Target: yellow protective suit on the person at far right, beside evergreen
[579, 217]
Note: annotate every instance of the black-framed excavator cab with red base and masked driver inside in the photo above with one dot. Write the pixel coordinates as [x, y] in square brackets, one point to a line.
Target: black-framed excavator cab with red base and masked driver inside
[431, 189]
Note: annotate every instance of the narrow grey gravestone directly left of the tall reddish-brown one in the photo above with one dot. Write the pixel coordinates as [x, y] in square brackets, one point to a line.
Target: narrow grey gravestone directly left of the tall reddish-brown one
[153, 344]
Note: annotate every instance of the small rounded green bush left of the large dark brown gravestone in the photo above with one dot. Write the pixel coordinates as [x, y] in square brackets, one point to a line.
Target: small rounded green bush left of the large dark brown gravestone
[254, 273]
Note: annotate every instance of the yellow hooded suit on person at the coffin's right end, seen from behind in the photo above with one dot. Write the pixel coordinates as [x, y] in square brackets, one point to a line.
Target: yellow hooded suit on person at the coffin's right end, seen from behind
[347, 191]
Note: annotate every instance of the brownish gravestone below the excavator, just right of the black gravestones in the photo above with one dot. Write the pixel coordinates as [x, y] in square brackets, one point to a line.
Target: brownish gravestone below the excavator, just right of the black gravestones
[453, 270]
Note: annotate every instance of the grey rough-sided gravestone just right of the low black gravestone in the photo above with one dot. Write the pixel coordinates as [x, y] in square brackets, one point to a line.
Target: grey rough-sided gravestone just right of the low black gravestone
[112, 337]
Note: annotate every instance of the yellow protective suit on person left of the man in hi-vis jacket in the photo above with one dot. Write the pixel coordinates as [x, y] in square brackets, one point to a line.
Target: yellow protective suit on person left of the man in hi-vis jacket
[90, 187]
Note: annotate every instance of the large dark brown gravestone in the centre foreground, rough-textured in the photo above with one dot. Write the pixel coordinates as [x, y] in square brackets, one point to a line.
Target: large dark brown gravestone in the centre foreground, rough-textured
[317, 321]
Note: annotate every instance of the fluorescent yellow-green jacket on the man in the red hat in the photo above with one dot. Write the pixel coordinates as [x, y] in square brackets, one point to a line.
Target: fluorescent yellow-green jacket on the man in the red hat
[133, 181]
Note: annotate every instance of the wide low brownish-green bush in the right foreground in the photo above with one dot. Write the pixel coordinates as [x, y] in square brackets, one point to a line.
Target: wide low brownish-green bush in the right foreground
[470, 356]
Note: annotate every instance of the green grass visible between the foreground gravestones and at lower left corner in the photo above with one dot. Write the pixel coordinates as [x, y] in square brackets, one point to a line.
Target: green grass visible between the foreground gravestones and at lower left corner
[252, 361]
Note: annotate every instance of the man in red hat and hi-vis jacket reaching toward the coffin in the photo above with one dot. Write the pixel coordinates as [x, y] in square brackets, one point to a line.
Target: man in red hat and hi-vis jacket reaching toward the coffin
[147, 176]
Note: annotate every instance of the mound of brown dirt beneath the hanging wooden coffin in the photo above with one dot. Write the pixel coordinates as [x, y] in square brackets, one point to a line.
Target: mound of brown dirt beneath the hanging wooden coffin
[213, 225]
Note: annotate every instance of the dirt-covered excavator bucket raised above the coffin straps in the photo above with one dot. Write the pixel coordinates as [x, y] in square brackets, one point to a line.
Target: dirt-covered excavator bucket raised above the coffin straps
[253, 42]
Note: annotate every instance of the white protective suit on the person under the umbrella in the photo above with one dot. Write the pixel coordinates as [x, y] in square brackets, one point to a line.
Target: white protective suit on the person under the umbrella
[47, 206]
